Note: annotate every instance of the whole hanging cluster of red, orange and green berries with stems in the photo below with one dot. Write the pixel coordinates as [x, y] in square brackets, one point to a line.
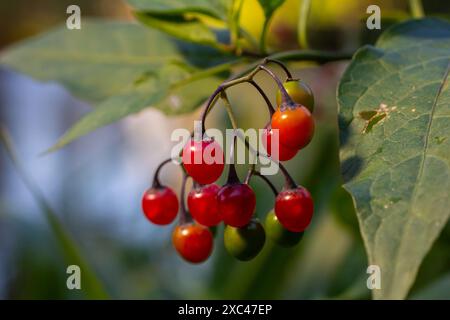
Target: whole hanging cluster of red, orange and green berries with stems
[234, 203]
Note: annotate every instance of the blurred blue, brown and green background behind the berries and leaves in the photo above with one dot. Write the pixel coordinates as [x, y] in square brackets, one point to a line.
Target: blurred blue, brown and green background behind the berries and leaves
[95, 184]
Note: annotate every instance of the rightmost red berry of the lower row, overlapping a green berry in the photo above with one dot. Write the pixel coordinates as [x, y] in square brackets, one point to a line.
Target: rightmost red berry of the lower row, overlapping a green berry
[294, 209]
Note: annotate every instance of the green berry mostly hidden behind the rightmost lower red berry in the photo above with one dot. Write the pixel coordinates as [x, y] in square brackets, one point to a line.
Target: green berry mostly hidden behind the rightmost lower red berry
[279, 234]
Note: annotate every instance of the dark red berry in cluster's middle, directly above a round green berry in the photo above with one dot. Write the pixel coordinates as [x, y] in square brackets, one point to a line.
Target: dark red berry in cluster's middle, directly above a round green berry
[237, 203]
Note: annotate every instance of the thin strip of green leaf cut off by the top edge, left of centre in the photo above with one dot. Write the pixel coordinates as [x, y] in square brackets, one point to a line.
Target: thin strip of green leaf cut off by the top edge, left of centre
[213, 8]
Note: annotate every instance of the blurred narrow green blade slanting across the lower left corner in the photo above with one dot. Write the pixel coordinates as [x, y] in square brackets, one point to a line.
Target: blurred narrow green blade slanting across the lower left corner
[92, 286]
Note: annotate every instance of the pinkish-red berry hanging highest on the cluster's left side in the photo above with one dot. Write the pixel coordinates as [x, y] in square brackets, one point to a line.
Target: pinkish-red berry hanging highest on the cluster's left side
[203, 160]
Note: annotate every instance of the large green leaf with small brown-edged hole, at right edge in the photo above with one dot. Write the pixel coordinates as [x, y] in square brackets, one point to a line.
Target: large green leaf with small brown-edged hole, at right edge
[394, 102]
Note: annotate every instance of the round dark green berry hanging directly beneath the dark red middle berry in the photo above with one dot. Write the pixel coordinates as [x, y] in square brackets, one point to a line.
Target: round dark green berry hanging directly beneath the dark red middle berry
[245, 243]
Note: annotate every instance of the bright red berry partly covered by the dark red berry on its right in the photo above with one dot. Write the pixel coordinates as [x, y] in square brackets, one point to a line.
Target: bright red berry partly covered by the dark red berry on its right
[203, 205]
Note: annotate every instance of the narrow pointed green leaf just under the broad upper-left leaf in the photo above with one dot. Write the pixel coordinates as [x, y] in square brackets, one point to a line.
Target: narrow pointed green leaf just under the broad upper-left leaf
[170, 90]
